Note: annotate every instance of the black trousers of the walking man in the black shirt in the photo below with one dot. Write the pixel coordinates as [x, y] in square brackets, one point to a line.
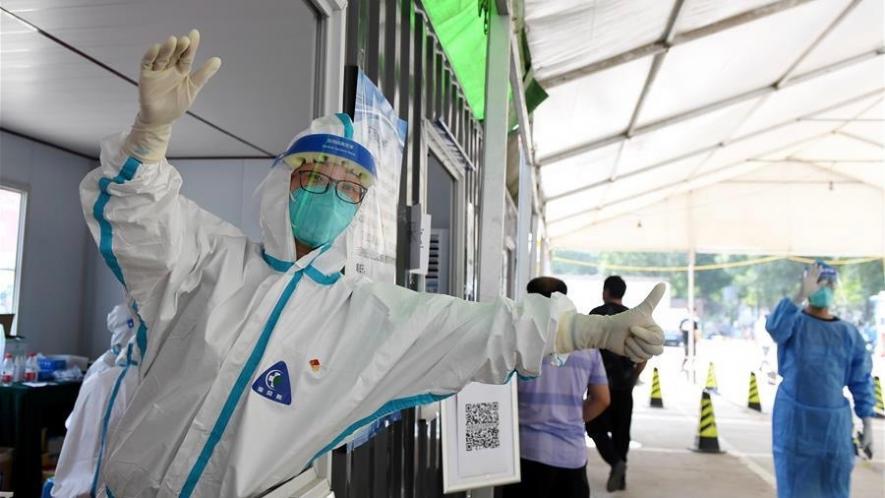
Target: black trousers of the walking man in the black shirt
[611, 429]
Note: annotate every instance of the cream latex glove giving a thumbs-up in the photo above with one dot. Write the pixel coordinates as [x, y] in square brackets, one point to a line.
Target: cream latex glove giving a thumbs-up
[633, 333]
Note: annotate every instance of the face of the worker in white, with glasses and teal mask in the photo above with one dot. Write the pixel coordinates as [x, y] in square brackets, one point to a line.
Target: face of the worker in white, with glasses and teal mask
[321, 208]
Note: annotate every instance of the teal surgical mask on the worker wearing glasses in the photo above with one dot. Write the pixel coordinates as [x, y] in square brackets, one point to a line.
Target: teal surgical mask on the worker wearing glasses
[317, 219]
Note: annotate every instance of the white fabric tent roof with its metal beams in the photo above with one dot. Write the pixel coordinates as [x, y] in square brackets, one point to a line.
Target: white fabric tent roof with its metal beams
[772, 109]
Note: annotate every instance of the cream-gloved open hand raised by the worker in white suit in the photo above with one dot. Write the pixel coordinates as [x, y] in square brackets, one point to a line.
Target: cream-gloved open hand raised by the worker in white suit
[166, 90]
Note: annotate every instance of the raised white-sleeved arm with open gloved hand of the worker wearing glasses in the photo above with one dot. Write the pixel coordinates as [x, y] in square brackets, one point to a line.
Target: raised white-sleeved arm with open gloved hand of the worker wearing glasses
[152, 238]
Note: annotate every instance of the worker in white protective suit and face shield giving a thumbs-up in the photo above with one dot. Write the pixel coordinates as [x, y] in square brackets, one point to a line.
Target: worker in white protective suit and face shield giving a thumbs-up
[261, 357]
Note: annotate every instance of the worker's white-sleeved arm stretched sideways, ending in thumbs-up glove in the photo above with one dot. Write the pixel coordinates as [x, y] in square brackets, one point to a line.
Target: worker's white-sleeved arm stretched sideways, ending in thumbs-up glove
[442, 343]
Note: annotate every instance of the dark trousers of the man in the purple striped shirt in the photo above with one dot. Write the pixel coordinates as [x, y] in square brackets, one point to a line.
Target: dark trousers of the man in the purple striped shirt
[545, 481]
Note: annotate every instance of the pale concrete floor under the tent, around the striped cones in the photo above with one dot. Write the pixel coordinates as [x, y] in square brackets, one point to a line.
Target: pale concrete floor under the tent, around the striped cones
[661, 463]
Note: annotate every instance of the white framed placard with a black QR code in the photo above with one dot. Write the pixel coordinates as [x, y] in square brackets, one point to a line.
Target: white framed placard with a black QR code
[480, 438]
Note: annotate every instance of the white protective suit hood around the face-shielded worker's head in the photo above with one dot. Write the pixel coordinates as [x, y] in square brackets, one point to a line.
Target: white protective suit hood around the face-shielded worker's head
[278, 241]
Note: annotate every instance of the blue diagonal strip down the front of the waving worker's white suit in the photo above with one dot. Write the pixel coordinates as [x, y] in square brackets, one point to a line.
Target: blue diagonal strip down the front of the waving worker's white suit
[236, 392]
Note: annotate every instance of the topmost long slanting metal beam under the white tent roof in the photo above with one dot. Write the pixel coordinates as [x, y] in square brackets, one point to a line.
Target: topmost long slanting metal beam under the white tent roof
[658, 47]
